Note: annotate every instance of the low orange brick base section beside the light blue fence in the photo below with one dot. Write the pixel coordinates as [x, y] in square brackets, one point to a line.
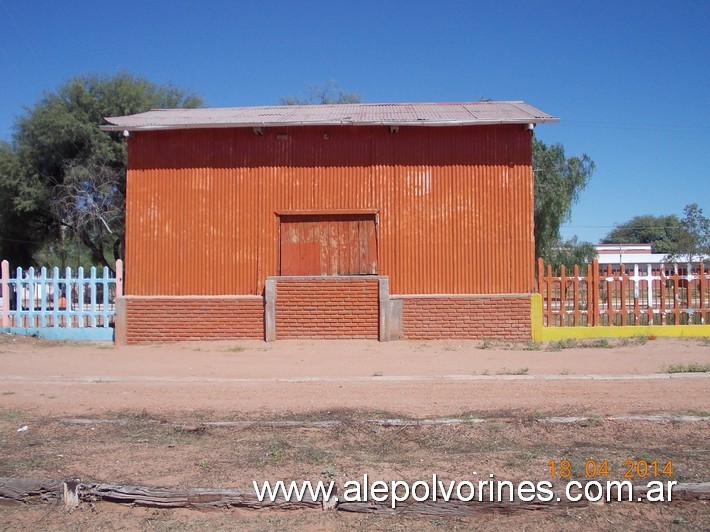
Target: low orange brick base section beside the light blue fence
[171, 319]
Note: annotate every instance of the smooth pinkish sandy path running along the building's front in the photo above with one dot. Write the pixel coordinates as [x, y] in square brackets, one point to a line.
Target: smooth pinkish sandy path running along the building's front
[419, 379]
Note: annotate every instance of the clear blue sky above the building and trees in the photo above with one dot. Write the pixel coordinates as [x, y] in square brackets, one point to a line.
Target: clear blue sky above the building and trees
[629, 80]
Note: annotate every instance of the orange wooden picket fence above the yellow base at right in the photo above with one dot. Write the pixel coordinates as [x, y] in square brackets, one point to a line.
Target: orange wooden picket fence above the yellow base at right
[674, 294]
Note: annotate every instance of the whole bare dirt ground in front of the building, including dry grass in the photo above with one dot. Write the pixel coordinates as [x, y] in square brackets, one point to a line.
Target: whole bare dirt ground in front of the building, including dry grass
[147, 416]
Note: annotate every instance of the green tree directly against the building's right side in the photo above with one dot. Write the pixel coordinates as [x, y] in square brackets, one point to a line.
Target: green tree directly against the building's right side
[558, 183]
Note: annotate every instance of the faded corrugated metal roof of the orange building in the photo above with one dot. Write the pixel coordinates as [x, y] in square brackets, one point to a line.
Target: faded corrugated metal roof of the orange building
[388, 114]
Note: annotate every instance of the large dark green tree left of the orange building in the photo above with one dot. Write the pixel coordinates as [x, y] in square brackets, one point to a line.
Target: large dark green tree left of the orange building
[65, 175]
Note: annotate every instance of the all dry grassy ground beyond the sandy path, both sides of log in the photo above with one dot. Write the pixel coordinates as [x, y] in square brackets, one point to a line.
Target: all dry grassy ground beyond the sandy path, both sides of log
[137, 448]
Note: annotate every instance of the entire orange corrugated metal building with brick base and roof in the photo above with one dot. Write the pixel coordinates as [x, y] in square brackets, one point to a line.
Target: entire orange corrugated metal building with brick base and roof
[431, 204]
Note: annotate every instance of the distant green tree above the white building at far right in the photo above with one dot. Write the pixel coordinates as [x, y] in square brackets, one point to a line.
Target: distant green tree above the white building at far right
[662, 232]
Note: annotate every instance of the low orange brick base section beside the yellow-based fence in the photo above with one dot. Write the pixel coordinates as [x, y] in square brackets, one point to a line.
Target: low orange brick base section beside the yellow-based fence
[503, 317]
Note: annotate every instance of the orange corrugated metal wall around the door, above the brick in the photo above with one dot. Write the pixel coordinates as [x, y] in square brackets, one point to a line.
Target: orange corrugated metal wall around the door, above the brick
[454, 204]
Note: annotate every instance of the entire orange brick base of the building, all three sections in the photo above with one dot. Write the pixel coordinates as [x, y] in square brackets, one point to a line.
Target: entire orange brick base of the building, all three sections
[323, 307]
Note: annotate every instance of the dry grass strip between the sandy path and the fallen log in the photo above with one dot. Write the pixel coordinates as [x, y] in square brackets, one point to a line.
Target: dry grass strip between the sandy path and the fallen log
[141, 449]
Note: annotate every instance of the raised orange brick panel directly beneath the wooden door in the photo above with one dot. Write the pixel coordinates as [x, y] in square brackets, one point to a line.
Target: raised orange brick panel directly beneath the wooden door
[327, 307]
